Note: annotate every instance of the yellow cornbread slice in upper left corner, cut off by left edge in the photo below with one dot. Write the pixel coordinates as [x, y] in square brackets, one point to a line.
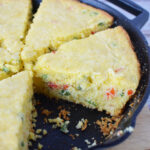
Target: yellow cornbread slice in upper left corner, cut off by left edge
[14, 22]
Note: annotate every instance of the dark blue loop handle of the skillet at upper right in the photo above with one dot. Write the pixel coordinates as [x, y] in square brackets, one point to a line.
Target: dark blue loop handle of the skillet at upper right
[141, 14]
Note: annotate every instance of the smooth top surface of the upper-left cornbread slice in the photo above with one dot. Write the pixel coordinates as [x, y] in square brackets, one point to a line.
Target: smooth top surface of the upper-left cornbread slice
[13, 22]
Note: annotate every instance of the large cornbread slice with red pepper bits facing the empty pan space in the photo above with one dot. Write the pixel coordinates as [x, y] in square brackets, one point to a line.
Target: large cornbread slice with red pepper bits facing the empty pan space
[101, 71]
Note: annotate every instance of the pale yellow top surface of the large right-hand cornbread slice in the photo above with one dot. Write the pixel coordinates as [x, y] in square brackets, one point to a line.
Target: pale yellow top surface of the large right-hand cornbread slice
[100, 53]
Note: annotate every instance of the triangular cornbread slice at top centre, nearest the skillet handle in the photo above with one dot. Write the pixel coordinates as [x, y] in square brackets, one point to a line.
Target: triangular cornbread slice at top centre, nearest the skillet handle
[59, 21]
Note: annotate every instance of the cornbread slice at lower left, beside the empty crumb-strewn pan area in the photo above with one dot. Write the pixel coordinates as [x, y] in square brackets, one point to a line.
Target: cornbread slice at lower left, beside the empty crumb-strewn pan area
[15, 111]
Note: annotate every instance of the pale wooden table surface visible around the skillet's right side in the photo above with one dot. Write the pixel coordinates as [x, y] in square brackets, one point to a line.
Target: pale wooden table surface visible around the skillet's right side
[140, 138]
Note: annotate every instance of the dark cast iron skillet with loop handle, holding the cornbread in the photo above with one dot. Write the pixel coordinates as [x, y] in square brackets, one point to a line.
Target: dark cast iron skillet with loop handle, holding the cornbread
[57, 140]
